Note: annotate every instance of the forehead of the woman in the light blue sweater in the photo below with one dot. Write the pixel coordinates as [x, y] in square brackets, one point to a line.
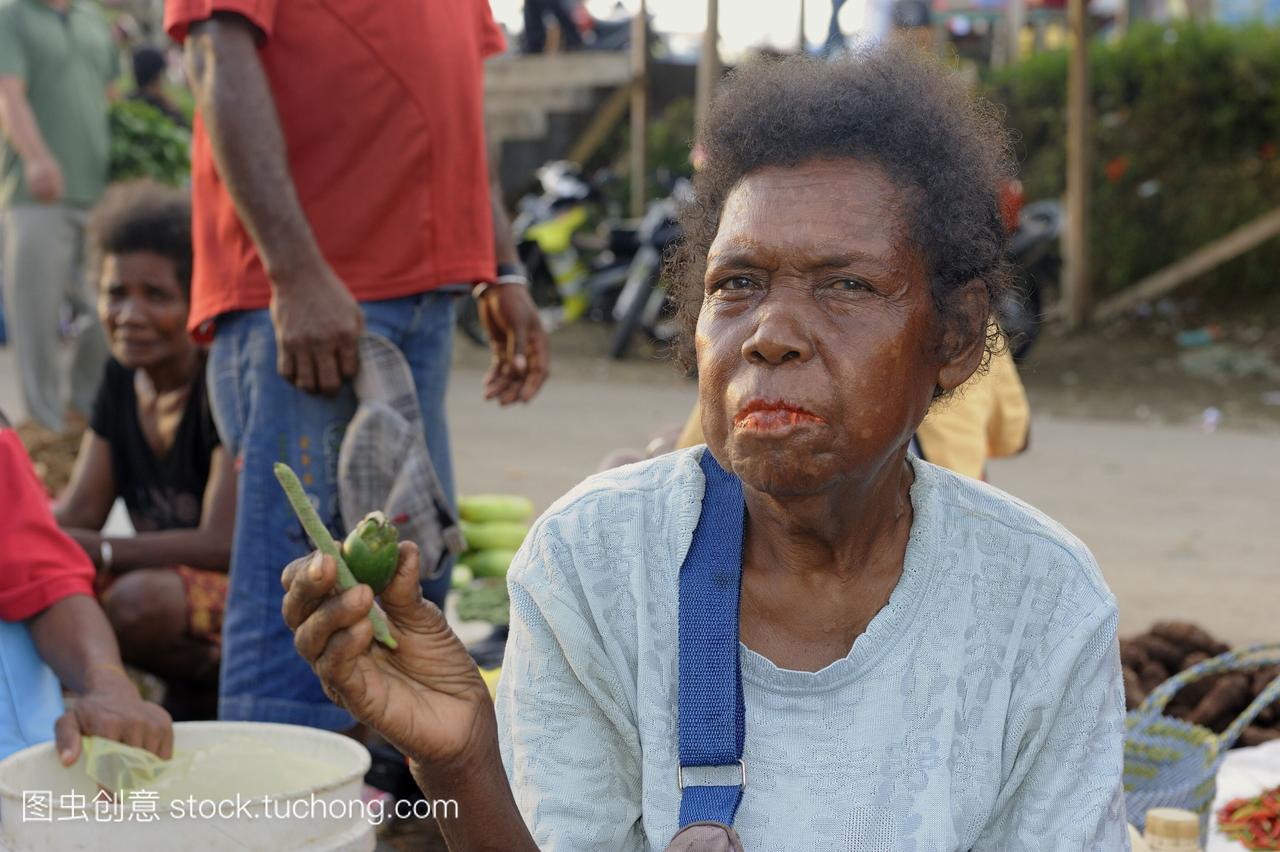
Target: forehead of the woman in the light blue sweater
[821, 210]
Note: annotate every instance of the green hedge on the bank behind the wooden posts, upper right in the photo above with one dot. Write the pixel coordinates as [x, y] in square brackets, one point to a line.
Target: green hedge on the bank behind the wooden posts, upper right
[1187, 145]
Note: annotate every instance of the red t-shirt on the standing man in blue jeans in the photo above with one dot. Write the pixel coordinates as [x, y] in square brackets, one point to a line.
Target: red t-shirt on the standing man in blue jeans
[382, 108]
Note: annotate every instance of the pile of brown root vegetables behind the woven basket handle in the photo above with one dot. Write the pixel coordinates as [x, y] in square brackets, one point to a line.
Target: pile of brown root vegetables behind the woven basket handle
[1214, 702]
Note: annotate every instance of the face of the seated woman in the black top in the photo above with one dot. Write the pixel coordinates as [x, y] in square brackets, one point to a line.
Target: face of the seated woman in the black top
[144, 309]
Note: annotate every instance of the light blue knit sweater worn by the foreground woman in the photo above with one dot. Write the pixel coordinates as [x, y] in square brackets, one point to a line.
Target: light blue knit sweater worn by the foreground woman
[982, 709]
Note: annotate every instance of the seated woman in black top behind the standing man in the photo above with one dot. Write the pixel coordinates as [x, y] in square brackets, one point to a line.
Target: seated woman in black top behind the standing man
[153, 443]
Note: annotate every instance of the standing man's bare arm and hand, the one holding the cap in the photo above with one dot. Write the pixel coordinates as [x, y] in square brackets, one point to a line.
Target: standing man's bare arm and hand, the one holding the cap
[318, 322]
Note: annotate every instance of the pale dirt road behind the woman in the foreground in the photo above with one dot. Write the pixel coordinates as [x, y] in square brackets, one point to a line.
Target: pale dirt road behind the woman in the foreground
[1181, 520]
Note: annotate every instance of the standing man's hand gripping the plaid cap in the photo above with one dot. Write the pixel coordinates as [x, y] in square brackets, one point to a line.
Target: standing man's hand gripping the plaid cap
[318, 326]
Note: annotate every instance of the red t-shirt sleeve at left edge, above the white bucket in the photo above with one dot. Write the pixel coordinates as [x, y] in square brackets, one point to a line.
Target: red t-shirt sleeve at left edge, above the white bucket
[39, 565]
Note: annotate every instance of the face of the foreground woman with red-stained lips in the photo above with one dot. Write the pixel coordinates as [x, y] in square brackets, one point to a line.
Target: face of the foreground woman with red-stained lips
[819, 340]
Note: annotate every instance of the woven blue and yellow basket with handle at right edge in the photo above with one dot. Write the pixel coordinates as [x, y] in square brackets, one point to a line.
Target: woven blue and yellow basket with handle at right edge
[1169, 763]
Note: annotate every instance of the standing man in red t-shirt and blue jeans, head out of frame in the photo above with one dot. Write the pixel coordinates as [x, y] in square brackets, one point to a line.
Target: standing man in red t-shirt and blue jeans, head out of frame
[340, 184]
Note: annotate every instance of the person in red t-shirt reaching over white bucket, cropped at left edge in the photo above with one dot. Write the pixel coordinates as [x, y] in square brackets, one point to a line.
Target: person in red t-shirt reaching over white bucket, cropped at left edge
[53, 630]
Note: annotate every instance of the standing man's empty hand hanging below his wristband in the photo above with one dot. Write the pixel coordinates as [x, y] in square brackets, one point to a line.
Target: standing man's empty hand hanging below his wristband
[522, 356]
